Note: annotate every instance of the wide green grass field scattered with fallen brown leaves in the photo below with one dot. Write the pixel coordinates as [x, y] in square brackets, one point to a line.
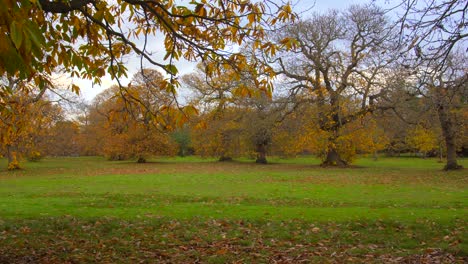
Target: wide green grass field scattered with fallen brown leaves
[198, 210]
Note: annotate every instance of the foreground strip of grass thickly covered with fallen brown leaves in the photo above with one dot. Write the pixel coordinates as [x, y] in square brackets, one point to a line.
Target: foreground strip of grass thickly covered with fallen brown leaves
[108, 240]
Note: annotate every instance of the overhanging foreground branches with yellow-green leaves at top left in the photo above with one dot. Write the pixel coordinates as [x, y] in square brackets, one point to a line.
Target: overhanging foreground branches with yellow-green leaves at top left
[89, 37]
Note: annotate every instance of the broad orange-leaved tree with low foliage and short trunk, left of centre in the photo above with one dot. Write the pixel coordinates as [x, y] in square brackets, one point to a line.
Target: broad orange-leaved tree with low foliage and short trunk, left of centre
[138, 118]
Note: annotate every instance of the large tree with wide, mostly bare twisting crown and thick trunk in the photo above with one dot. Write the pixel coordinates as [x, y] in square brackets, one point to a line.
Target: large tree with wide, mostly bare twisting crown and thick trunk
[339, 61]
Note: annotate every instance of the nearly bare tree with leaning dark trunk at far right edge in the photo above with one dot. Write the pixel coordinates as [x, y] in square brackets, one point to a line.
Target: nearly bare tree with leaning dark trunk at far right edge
[433, 33]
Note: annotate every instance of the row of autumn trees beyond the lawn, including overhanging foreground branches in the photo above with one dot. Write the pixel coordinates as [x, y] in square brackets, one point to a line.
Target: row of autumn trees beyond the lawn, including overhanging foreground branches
[334, 84]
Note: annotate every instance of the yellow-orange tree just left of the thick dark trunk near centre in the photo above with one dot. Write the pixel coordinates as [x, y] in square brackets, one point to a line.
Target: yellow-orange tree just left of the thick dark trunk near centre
[218, 129]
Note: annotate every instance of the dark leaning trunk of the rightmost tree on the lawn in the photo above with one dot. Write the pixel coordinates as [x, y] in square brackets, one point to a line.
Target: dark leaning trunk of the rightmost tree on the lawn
[449, 132]
